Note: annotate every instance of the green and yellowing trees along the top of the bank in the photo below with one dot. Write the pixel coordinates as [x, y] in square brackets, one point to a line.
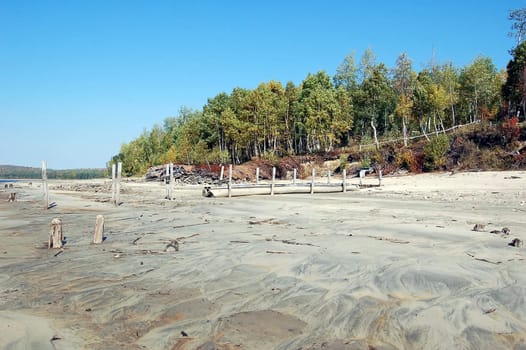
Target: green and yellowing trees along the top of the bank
[363, 102]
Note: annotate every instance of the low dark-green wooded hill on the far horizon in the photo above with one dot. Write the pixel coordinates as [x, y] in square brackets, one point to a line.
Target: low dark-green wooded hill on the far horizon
[21, 172]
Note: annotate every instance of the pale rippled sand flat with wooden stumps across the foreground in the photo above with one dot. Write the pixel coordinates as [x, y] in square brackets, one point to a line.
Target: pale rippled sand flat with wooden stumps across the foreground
[395, 267]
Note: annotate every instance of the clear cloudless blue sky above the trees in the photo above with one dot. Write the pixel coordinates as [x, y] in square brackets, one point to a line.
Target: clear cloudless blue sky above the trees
[80, 77]
